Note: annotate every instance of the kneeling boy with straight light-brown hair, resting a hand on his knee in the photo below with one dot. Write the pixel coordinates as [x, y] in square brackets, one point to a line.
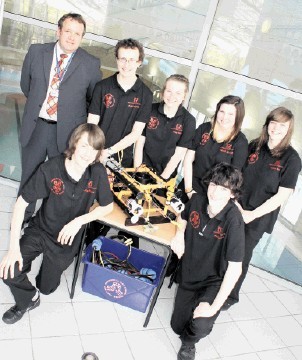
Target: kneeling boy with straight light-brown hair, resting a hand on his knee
[68, 185]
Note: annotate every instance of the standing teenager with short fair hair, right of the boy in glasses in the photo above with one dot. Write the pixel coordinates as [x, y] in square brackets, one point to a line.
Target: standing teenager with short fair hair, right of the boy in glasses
[169, 131]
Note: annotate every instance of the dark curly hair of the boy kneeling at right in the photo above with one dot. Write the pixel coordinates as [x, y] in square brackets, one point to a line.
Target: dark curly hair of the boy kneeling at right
[226, 175]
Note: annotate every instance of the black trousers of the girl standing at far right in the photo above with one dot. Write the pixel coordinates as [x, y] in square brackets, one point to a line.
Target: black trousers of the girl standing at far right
[252, 238]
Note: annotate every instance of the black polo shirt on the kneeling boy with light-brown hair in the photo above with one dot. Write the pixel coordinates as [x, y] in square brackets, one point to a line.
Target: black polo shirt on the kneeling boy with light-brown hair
[63, 198]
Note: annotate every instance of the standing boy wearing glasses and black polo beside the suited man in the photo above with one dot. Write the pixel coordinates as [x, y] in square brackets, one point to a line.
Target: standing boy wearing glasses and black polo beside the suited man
[121, 104]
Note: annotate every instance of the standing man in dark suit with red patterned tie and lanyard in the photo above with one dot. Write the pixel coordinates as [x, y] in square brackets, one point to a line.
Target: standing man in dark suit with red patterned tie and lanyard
[58, 81]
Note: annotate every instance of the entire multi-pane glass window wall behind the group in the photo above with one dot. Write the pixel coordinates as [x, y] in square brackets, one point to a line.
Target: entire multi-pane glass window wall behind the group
[251, 38]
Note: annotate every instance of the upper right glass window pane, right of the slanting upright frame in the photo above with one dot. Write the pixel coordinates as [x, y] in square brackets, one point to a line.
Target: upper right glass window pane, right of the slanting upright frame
[256, 39]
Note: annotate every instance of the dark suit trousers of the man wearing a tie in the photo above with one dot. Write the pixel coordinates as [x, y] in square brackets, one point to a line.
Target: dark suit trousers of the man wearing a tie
[42, 144]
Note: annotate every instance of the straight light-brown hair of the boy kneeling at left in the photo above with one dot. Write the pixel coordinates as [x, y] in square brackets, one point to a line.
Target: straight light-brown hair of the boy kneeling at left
[96, 139]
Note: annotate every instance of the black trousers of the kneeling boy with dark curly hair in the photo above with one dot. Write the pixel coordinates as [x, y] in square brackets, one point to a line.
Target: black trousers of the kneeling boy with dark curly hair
[182, 322]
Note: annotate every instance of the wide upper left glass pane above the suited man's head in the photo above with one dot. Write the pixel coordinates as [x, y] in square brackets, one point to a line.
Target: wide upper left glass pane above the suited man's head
[170, 26]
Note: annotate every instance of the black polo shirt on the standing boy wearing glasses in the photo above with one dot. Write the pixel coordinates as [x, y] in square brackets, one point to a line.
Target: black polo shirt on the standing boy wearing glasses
[119, 109]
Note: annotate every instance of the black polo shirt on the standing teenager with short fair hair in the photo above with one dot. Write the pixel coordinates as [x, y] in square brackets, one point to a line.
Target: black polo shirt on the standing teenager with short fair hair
[164, 134]
